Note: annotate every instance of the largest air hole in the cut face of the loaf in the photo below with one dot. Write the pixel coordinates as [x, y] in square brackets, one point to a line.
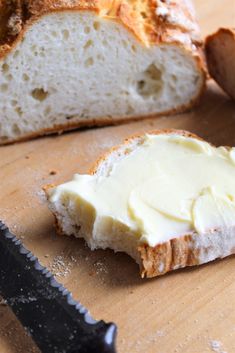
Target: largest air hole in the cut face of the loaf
[150, 82]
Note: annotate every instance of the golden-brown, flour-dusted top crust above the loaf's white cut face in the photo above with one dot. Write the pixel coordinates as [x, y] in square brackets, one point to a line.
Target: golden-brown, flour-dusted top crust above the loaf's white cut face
[141, 17]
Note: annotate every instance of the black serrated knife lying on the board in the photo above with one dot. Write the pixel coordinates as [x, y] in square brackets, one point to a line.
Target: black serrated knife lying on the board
[56, 322]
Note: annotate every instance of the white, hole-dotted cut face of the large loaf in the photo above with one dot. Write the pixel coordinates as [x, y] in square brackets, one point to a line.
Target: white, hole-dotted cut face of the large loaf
[74, 68]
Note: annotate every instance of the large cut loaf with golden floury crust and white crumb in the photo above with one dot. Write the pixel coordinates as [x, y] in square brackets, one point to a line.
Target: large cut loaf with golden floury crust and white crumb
[66, 64]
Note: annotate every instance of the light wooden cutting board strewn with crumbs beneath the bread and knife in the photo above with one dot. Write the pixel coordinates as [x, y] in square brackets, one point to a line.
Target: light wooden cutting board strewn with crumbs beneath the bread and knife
[188, 311]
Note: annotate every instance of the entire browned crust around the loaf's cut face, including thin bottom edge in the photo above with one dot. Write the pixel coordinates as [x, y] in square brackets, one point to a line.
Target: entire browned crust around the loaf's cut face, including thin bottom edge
[142, 18]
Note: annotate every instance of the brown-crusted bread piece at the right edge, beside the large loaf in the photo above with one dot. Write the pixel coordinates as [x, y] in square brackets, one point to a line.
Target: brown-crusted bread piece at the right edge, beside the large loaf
[218, 61]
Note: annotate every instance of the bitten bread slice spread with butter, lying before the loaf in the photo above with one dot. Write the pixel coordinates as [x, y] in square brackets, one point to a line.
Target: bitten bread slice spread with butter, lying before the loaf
[166, 198]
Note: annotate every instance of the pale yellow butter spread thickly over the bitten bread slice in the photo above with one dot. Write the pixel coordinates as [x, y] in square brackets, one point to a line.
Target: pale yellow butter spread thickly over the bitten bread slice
[167, 186]
